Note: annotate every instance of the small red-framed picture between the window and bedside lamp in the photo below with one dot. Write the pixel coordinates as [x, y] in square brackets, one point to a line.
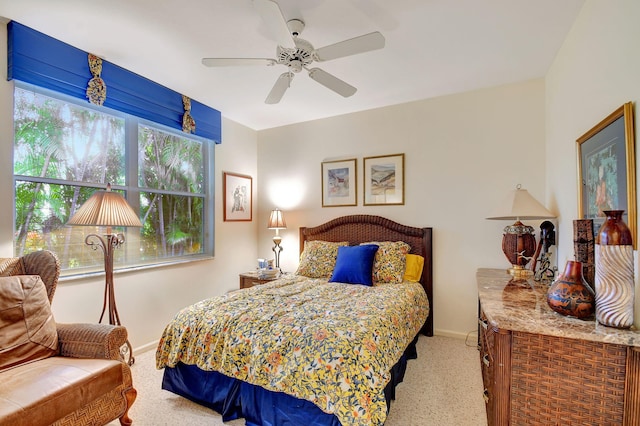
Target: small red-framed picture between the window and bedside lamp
[237, 195]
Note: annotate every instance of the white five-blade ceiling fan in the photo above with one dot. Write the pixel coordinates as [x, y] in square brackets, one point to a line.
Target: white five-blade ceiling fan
[298, 54]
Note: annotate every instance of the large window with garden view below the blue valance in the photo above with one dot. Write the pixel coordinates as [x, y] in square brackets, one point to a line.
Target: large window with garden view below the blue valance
[64, 150]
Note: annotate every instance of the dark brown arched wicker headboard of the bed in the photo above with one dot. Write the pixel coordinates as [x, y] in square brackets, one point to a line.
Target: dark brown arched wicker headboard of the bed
[358, 229]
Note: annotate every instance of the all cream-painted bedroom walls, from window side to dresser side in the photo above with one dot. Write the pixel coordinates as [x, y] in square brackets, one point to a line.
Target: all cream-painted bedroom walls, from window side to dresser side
[463, 154]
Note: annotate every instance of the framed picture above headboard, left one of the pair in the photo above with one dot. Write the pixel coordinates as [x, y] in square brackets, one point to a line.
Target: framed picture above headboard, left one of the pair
[339, 183]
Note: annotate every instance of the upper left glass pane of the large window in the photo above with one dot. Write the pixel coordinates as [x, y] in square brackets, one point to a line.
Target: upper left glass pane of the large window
[60, 140]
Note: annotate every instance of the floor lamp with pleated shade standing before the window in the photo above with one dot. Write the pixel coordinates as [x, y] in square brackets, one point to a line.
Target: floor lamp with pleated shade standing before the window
[106, 208]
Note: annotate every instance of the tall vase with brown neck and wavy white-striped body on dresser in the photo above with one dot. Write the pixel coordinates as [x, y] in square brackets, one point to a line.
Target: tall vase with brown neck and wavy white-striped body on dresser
[614, 272]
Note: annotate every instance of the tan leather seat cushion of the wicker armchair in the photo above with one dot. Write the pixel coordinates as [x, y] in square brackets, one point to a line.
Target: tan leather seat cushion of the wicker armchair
[44, 391]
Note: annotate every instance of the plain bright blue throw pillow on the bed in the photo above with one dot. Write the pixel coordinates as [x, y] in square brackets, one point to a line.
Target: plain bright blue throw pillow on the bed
[354, 264]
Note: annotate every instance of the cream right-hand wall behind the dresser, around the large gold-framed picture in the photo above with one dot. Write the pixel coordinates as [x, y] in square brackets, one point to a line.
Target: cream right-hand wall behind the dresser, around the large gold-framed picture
[596, 71]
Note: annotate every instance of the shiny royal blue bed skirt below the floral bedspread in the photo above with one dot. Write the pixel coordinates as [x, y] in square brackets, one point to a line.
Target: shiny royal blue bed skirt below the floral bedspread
[234, 399]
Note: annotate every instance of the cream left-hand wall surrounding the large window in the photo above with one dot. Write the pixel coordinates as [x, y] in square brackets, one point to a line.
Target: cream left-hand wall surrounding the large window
[146, 299]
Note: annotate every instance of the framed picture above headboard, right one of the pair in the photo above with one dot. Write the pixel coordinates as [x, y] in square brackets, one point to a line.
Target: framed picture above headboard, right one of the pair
[384, 180]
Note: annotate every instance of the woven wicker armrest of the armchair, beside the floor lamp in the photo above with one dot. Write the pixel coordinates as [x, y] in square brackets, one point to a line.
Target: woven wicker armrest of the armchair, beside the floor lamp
[91, 340]
